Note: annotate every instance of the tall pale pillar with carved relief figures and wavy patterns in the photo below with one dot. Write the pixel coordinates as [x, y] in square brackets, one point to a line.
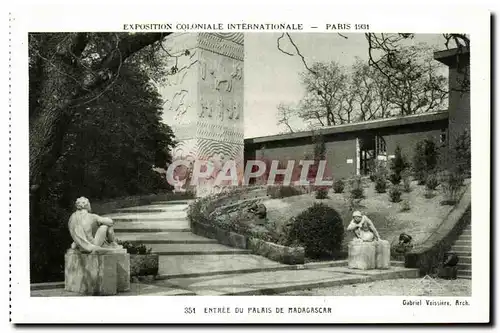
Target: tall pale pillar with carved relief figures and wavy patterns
[204, 101]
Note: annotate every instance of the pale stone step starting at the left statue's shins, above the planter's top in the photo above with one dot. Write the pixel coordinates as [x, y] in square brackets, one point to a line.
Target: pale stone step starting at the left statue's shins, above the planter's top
[175, 237]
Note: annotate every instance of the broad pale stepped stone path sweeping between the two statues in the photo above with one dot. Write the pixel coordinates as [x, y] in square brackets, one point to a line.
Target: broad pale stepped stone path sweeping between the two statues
[199, 265]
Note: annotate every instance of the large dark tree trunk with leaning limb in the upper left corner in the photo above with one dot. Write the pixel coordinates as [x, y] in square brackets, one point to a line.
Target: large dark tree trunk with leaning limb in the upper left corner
[67, 71]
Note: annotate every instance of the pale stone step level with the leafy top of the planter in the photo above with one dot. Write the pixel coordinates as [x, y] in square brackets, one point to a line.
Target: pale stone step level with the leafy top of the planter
[195, 249]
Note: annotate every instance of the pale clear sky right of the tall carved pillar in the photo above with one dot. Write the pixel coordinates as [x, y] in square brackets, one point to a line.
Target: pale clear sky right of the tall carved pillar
[272, 77]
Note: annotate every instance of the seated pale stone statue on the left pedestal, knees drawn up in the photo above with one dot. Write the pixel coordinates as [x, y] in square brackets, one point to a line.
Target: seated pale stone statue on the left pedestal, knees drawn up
[91, 232]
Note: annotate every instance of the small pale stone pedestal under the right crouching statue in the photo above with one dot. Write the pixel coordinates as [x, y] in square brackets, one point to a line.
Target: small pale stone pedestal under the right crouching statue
[369, 255]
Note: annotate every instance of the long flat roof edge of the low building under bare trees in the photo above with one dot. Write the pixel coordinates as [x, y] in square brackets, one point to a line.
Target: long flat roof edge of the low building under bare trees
[359, 126]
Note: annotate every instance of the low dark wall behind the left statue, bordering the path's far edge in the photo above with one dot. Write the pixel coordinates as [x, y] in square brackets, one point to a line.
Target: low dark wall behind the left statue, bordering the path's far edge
[106, 207]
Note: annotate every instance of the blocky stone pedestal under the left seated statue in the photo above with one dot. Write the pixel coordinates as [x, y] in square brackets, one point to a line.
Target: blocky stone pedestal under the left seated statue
[97, 273]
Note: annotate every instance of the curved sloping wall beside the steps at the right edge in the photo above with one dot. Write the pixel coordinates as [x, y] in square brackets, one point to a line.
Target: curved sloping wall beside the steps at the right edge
[429, 255]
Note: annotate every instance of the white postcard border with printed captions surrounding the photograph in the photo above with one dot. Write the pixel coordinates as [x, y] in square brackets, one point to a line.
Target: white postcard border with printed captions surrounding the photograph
[171, 309]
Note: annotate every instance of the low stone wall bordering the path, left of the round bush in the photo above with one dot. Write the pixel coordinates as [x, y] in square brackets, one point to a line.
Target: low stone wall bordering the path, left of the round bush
[279, 253]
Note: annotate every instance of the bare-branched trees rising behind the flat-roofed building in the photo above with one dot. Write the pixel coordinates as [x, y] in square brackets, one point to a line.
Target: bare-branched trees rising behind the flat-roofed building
[402, 80]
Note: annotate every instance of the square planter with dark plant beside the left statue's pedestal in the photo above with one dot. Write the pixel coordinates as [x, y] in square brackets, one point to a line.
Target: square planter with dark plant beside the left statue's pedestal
[142, 261]
